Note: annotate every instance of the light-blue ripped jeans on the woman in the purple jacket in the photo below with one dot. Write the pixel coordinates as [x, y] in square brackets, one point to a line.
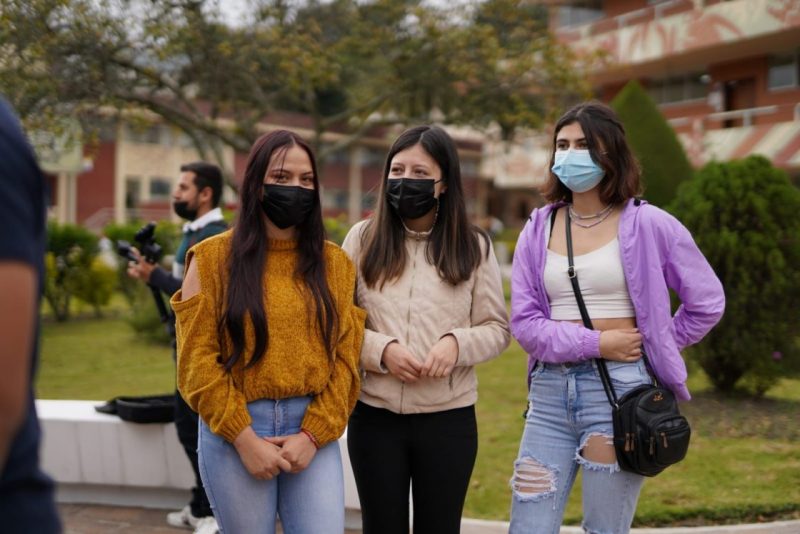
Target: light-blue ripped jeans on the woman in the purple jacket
[567, 407]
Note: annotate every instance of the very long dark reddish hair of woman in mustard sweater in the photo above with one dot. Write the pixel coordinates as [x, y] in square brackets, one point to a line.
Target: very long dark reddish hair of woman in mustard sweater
[249, 253]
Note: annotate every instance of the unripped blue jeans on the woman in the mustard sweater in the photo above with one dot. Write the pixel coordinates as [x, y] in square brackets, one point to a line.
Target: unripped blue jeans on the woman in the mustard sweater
[309, 501]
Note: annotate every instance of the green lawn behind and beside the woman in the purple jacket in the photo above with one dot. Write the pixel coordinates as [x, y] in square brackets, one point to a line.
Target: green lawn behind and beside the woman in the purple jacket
[743, 464]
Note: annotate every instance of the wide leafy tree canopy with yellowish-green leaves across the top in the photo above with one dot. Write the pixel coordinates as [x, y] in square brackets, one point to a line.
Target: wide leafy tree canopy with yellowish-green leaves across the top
[349, 65]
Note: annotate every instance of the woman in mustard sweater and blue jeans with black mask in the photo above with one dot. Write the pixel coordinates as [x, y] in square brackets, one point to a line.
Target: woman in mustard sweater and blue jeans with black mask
[268, 348]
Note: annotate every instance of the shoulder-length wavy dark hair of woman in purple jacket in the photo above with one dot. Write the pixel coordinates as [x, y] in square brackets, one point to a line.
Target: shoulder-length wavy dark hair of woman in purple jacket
[605, 138]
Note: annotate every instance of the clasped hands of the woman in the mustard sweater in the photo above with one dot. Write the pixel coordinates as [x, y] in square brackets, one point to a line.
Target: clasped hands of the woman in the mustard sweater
[265, 458]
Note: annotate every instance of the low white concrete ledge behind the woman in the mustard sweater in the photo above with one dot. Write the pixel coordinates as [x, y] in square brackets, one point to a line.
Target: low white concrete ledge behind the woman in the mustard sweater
[99, 458]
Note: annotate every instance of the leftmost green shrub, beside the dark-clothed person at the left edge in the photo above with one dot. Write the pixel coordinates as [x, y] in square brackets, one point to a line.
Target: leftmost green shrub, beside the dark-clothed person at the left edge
[70, 252]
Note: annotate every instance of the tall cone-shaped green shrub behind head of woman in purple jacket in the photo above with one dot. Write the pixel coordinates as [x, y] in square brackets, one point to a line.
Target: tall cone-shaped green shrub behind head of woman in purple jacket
[663, 160]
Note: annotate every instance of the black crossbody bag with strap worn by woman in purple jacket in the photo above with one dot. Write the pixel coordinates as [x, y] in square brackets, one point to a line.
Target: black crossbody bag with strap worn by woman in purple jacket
[650, 434]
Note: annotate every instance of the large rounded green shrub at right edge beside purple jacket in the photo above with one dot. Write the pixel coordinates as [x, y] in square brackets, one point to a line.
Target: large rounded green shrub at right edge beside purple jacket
[743, 215]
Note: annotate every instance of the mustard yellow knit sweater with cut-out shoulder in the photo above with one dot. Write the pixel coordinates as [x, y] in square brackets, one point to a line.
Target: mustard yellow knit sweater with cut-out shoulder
[295, 362]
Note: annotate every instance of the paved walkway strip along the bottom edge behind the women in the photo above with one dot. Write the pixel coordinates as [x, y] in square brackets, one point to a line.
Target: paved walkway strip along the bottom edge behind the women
[95, 519]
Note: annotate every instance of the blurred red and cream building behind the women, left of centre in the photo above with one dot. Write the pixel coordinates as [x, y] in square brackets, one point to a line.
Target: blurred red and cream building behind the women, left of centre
[128, 173]
